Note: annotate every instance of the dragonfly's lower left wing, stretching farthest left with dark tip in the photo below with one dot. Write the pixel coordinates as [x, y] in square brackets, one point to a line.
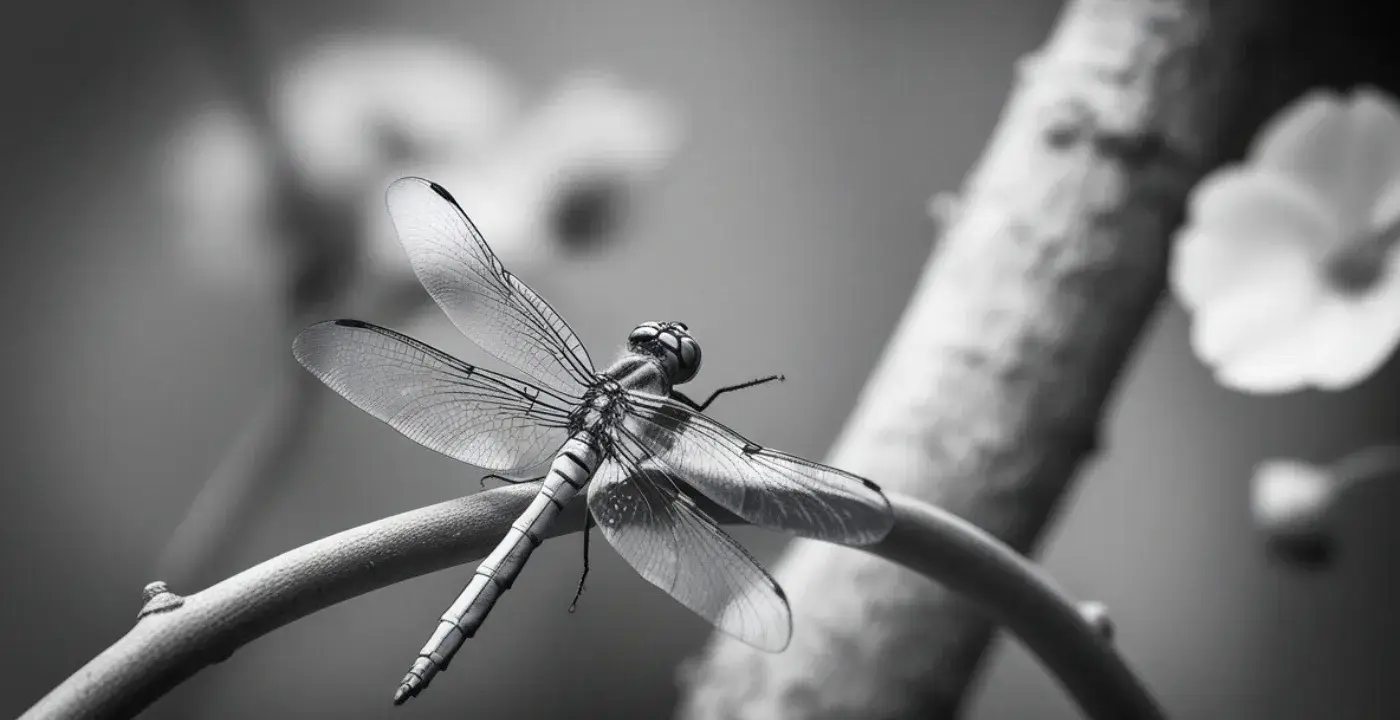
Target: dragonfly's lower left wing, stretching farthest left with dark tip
[465, 413]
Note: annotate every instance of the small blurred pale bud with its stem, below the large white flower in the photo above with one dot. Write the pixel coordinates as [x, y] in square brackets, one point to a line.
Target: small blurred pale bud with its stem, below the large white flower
[1296, 504]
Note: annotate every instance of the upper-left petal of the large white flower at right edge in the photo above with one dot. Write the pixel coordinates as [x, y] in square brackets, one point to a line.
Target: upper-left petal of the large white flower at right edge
[1238, 221]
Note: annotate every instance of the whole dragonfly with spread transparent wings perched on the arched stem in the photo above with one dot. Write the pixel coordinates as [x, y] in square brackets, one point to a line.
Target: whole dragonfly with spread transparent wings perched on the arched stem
[640, 448]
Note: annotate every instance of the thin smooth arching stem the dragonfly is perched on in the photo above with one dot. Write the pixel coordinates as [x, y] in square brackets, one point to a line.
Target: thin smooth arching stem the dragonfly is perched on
[176, 637]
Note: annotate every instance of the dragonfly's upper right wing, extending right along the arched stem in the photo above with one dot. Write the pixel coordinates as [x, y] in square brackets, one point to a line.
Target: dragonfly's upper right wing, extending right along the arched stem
[761, 485]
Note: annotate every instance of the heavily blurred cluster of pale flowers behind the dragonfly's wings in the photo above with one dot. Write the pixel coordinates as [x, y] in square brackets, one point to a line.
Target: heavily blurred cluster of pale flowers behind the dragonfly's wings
[359, 113]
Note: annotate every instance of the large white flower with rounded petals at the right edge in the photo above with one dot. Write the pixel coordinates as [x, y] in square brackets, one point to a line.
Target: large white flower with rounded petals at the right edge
[1287, 258]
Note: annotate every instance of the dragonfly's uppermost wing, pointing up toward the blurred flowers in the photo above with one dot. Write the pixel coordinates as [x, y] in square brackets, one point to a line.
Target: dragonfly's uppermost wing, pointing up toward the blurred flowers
[489, 305]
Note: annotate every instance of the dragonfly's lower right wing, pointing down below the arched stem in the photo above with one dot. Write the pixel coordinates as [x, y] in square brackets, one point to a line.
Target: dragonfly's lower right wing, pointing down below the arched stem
[673, 544]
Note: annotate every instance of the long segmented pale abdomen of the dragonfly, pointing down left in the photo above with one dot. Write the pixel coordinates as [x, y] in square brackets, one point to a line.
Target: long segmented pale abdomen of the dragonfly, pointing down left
[572, 470]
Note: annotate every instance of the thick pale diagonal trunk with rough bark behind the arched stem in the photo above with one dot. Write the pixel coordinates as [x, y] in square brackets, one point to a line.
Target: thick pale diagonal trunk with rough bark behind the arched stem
[992, 392]
